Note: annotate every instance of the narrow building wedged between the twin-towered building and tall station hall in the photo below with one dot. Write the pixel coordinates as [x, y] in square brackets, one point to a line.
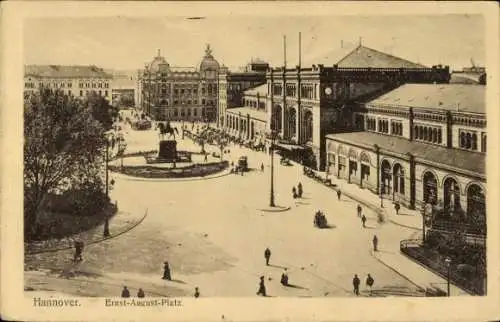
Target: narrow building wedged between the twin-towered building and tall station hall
[233, 84]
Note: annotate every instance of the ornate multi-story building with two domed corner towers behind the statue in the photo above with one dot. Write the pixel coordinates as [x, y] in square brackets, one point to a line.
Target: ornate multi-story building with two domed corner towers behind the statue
[179, 93]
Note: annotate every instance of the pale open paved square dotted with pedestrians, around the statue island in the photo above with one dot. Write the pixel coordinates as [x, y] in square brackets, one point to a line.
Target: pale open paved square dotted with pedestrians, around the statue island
[213, 235]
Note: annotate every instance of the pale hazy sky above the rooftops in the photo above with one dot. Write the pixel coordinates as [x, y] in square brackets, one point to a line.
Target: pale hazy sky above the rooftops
[129, 43]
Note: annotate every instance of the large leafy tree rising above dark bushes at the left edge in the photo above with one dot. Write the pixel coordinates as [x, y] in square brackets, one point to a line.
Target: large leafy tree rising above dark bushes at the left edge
[62, 143]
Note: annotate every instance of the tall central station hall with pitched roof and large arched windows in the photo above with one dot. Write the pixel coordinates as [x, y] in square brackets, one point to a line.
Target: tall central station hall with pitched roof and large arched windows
[305, 104]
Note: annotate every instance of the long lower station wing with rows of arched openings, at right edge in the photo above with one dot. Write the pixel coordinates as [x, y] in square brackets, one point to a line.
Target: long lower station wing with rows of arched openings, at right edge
[418, 144]
